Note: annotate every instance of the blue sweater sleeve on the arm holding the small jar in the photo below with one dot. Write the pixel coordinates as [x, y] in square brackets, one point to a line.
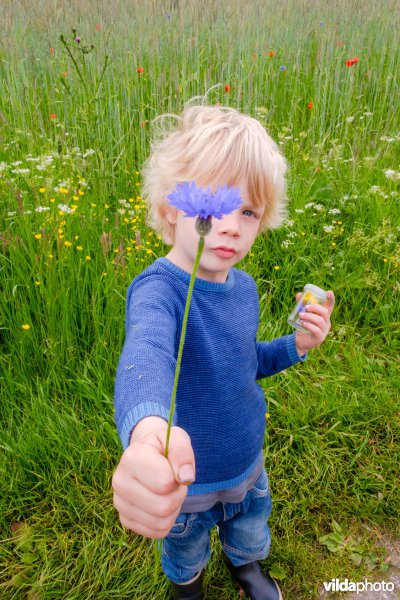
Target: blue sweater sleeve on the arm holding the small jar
[277, 355]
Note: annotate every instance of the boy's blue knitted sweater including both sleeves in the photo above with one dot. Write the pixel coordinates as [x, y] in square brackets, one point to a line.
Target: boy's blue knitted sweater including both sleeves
[219, 402]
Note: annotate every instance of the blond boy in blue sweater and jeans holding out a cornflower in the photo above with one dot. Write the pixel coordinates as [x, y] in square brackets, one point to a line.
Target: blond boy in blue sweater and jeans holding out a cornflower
[214, 474]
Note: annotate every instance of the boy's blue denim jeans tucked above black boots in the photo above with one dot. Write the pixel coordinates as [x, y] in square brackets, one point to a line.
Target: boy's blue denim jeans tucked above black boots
[242, 529]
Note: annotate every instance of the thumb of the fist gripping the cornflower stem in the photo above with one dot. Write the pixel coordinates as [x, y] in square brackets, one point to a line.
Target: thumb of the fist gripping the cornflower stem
[181, 456]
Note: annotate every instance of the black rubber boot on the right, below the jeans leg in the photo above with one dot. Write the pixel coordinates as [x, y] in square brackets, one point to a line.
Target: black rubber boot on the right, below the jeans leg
[254, 582]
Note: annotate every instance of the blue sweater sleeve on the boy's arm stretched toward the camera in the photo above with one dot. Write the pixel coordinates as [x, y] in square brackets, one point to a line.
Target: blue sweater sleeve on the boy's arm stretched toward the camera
[146, 367]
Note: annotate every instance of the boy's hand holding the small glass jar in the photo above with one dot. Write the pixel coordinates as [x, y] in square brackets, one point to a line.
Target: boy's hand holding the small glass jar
[316, 318]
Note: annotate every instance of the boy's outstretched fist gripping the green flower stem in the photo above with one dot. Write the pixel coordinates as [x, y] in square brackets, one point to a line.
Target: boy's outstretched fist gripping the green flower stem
[149, 489]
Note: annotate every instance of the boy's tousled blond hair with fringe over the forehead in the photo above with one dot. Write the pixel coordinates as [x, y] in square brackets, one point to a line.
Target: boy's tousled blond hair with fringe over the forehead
[214, 146]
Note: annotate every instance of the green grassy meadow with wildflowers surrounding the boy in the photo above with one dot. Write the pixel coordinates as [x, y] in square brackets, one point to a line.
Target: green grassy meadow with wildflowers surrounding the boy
[81, 83]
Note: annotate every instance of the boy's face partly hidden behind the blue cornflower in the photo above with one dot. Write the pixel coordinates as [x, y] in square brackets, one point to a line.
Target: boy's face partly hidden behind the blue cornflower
[229, 240]
